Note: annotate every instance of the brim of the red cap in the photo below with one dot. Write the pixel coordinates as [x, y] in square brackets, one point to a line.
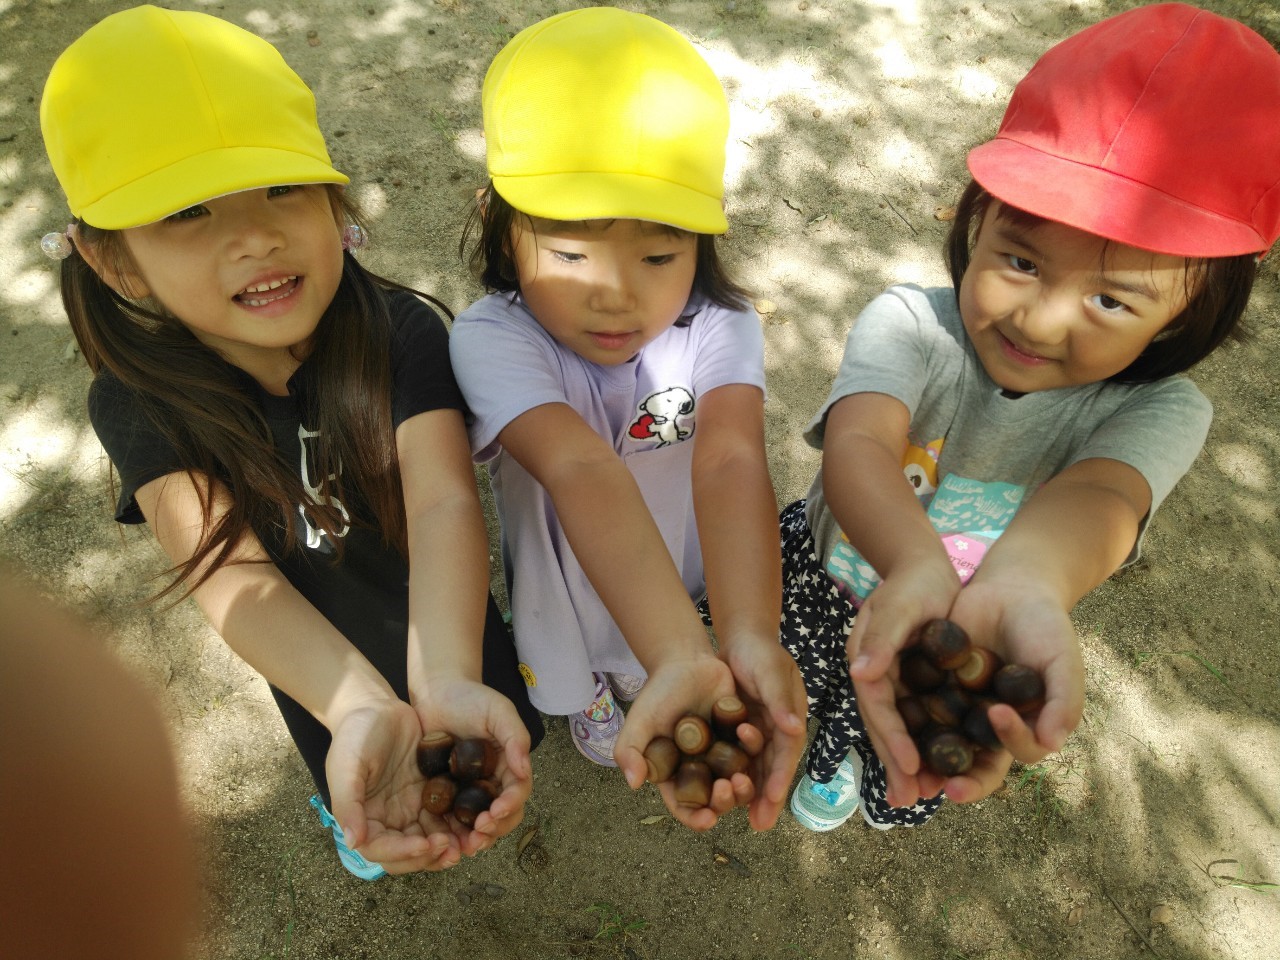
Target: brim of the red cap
[1105, 204]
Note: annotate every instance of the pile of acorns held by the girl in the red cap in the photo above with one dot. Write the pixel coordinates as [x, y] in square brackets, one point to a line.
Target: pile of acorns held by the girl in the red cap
[952, 684]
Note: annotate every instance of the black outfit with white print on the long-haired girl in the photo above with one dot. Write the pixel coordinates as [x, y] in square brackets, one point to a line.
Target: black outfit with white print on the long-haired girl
[367, 596]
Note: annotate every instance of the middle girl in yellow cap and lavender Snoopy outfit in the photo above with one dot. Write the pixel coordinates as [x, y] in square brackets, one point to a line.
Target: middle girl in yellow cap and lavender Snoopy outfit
[618, 386]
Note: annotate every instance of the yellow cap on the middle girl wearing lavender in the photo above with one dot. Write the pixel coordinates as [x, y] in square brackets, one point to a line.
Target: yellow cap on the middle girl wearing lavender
[602, 113]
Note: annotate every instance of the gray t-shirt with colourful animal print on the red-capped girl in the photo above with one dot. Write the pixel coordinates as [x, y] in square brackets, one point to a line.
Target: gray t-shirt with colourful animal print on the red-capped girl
[976, 455]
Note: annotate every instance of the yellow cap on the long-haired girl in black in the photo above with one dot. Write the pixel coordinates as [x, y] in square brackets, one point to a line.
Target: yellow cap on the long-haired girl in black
[152, 112]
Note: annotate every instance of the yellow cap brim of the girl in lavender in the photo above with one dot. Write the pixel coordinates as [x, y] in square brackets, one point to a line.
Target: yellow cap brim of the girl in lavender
[598, 196]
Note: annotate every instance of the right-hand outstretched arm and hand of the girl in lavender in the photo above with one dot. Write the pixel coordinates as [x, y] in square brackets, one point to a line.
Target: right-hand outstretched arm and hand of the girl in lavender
[738, 525]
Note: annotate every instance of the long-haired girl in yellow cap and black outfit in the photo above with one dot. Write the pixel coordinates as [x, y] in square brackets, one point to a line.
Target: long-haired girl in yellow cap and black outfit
[286, 422]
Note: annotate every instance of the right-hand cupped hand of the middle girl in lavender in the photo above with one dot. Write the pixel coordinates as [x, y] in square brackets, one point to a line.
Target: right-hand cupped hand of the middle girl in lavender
[770, 684]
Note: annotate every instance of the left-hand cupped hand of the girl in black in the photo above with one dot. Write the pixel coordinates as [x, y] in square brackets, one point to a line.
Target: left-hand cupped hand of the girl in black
[377, 790]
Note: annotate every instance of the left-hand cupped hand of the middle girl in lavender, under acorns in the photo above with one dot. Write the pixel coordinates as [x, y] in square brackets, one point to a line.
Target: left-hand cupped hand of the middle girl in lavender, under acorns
[676, 688]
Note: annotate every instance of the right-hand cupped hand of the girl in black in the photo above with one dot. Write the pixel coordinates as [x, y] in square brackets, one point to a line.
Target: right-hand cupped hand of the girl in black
[470, 710]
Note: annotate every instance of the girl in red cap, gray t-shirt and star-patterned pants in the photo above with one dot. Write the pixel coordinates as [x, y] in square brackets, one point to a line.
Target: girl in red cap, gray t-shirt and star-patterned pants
[1108, 243]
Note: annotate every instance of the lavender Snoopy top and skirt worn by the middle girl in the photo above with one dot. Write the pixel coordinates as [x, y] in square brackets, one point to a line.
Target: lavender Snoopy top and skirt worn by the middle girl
[647, 410]
